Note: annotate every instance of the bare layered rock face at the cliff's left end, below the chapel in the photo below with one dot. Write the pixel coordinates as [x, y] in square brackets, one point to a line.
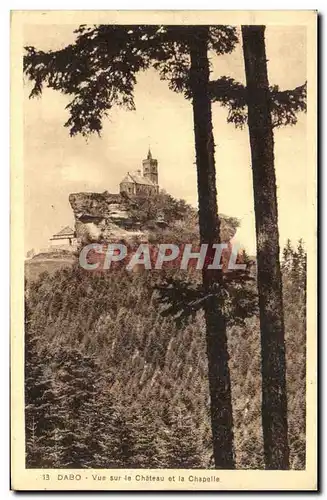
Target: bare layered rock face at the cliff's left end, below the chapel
[104, 217]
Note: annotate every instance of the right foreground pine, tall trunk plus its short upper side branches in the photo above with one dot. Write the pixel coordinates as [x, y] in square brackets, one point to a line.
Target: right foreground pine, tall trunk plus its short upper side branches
[263, 108]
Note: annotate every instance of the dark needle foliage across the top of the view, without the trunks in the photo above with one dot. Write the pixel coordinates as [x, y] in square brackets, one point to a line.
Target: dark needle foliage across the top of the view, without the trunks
[99, 71]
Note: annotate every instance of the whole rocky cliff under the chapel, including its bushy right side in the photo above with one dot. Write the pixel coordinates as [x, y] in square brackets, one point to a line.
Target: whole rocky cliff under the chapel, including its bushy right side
[110, 217]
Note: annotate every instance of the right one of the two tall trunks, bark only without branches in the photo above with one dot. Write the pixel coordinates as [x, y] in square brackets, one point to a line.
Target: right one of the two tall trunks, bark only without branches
[274, 397]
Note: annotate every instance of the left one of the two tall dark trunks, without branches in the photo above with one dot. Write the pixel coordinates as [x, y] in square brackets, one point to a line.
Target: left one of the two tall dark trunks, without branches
[219, 377]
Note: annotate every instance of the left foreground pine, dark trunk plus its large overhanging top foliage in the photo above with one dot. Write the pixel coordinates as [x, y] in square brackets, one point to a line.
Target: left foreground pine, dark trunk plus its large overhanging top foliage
[98, 71]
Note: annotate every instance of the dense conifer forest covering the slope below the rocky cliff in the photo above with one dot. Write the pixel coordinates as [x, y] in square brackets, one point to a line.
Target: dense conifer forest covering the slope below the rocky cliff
[111, 382]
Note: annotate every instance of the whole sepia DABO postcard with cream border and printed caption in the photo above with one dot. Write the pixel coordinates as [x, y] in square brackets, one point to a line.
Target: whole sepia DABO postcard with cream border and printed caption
[163, 280]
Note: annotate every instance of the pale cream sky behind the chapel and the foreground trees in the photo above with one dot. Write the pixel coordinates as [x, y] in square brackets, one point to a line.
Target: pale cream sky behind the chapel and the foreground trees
[57, 165]
